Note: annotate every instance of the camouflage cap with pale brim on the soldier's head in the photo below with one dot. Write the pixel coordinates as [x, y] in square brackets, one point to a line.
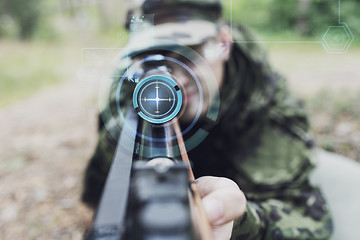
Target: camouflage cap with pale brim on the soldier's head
[185, 22]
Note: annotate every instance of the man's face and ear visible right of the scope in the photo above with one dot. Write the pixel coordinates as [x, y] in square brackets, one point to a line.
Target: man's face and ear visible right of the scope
[208, 66]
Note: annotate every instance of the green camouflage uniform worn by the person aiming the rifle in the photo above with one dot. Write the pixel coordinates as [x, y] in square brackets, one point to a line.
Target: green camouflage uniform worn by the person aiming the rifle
[261, 141]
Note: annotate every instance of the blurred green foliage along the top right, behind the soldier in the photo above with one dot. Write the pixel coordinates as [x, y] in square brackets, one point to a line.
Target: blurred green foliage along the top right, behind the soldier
[279, 17]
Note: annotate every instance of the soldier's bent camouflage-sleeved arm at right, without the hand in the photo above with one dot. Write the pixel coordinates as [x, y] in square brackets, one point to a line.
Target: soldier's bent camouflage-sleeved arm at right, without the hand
[281, 202]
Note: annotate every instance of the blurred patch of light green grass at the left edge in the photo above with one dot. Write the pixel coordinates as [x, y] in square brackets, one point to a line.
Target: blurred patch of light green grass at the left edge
[29, 67]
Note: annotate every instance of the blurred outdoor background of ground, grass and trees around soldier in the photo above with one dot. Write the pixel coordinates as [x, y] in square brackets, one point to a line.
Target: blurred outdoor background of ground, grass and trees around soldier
[49, 50]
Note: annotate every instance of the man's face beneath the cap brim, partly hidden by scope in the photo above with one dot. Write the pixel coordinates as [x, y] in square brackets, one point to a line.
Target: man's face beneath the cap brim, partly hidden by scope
[200, 74]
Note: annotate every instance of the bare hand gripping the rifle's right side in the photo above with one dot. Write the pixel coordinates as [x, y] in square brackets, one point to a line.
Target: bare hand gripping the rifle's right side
[223, 202]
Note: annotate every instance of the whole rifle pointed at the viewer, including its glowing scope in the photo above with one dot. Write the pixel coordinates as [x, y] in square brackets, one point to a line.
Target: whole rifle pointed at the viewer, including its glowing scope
[150, 191]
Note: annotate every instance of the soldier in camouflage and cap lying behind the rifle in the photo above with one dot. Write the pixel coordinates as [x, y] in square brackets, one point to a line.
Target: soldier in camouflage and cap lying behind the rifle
[259, 144]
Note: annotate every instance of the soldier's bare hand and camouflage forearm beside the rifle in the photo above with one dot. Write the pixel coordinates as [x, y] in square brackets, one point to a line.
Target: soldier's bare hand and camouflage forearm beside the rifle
[299, 213]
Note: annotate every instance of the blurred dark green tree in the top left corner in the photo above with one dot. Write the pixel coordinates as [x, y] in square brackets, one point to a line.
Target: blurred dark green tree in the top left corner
[25, 13]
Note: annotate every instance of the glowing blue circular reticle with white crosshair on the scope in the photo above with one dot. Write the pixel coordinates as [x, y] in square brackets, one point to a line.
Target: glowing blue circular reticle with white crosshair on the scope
[157, 99]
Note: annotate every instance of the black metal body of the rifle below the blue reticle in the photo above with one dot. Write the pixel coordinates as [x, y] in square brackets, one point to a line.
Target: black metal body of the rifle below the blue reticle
[146, 196]
